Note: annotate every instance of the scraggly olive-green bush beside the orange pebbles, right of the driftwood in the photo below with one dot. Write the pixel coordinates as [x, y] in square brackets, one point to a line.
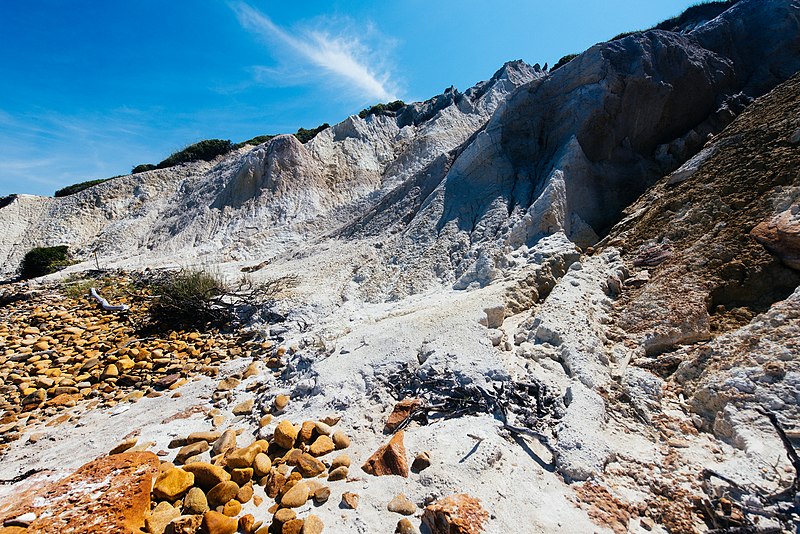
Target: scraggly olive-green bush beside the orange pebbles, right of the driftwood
[190, 299]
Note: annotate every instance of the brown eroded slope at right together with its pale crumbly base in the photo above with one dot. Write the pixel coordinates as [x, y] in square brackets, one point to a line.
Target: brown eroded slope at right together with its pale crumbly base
[718, 302]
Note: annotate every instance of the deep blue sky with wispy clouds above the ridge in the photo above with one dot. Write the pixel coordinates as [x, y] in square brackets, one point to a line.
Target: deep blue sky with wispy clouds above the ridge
[90, 88]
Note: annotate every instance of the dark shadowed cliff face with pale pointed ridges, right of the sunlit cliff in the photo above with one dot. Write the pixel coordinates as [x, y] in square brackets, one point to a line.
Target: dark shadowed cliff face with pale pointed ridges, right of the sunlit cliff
[568, 152]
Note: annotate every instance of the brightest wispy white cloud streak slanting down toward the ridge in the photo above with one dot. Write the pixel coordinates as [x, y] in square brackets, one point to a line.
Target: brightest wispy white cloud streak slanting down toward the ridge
[343, 56]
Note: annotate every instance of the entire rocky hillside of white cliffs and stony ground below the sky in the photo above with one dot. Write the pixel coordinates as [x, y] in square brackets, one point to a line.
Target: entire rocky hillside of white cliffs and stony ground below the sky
[585, 282]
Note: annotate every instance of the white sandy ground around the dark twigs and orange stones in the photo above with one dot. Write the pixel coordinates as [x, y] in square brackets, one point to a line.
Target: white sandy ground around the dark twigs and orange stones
[353, 346]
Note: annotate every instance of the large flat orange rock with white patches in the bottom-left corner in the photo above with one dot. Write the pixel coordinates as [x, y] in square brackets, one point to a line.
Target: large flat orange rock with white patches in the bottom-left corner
[110, 494]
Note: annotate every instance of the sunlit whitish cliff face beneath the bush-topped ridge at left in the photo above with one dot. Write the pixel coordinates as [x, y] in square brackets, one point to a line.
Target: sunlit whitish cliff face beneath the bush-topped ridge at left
[255, 201]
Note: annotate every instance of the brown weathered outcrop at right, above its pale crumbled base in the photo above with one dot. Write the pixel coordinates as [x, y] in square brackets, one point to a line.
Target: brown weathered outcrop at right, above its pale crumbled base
[743, 181]
